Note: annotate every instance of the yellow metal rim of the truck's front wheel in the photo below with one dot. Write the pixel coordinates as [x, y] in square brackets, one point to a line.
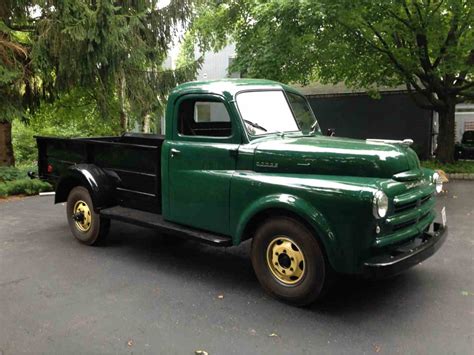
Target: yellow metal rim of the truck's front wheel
[286, 260]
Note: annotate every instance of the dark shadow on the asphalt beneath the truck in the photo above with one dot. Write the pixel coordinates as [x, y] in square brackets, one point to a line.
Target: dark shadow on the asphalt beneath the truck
[231, 268]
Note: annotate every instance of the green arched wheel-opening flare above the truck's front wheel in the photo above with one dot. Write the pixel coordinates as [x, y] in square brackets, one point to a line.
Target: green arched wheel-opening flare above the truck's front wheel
[298, 206]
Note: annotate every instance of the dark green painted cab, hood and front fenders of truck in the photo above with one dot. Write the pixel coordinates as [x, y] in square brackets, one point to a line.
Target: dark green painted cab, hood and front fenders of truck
[327, 181]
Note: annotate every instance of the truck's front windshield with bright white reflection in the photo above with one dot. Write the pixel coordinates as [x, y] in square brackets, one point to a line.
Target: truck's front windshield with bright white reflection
[269, 112]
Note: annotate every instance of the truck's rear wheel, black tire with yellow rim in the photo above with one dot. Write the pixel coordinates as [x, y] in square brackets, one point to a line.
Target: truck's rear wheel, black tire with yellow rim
[96, 230]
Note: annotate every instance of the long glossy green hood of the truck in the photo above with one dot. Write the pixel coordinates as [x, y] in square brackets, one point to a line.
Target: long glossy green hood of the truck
[334, 156]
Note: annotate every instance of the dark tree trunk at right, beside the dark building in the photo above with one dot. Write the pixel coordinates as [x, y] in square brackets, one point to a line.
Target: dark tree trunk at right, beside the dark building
[445, 151]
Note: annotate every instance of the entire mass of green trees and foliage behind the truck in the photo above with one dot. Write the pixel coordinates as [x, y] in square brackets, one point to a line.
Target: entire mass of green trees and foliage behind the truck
[93, 68]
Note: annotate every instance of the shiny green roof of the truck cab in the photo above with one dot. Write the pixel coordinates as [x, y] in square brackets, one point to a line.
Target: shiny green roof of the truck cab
[227, 87]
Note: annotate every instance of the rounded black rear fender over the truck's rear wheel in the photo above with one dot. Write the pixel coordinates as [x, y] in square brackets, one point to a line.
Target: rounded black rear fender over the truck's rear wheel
[100, 184]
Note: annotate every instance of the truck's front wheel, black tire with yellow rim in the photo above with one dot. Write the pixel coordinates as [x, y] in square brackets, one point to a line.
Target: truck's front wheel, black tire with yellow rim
[313, 282]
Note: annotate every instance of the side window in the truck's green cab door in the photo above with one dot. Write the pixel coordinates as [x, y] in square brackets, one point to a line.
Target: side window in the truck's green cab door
[203, 118]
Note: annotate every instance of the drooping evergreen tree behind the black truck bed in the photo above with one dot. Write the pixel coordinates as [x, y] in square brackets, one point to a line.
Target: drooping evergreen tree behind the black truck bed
[113, 46]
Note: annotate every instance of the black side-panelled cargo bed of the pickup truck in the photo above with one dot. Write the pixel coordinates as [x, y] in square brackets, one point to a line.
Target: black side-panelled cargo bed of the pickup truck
[134, 158]
